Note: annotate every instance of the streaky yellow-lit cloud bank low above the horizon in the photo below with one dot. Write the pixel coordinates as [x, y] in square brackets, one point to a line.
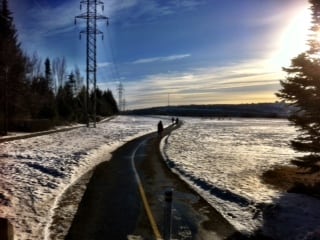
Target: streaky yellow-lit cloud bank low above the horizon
[236, 83]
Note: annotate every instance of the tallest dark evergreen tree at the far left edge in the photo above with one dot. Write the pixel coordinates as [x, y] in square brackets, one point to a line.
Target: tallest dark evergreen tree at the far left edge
[12, 69]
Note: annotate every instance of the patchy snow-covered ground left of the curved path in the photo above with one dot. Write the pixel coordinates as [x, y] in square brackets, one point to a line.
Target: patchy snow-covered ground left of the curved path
[35, 172]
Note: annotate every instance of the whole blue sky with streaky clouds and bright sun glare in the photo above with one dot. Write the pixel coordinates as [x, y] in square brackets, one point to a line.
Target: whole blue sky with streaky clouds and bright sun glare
[174, 51]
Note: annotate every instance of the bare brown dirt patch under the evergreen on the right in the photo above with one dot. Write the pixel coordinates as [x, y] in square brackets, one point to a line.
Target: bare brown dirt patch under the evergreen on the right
[294, 179]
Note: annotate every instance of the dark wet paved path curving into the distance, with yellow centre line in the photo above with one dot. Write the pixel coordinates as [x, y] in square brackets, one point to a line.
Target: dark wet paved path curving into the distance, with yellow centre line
[112, 208]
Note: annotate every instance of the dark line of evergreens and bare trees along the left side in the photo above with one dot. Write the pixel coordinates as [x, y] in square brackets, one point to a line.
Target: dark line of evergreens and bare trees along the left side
[36, 94]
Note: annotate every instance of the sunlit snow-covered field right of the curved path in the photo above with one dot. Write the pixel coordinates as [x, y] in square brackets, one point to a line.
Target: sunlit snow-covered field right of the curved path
[224, 159]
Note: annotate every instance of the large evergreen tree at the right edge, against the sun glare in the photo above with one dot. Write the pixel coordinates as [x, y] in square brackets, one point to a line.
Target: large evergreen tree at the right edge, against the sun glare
[301, 89]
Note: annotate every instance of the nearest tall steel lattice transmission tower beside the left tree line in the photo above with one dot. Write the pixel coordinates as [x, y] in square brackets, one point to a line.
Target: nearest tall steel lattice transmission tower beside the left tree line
[91, 16]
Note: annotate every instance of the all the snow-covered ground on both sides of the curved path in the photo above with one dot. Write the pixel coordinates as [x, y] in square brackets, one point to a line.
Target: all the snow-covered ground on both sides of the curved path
[221, 159]
